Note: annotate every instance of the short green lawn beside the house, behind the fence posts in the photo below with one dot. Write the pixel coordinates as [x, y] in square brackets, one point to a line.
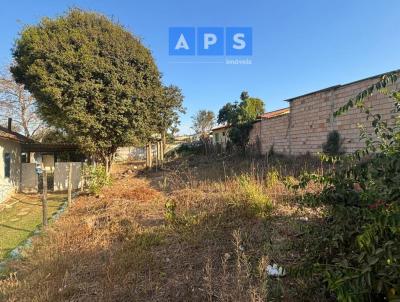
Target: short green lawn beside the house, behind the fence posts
[20, 216]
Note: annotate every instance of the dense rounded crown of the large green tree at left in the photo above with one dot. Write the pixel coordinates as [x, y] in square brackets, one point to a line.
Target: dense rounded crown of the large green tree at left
[91, 78]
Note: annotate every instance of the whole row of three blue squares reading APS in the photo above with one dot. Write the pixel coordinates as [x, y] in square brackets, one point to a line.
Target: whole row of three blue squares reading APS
[210, 41]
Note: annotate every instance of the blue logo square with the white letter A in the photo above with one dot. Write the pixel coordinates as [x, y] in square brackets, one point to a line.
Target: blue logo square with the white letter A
[182, 41]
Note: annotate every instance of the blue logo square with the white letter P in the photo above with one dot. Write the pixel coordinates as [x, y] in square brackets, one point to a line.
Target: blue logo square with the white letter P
[210, 41]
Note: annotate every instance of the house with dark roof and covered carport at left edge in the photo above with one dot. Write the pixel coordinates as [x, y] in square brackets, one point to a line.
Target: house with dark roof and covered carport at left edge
[18, 150]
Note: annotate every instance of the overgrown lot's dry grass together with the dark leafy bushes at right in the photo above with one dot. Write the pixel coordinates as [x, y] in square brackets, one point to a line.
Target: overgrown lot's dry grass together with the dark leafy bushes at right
[206, 228]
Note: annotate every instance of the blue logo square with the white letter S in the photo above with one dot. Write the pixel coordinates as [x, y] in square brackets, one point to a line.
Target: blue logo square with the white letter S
[239, 41]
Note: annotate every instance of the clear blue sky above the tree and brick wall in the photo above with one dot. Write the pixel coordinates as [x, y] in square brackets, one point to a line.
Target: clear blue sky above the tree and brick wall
[299, 46]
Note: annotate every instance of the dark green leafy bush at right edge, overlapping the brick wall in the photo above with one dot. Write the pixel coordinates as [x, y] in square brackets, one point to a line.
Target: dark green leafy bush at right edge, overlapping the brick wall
[358, 254]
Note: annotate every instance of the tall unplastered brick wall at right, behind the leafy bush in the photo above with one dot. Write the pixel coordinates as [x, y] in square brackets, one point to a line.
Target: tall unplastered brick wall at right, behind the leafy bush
[310, 120]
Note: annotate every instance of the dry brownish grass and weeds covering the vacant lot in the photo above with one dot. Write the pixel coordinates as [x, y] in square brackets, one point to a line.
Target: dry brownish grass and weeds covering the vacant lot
[212, 242]
